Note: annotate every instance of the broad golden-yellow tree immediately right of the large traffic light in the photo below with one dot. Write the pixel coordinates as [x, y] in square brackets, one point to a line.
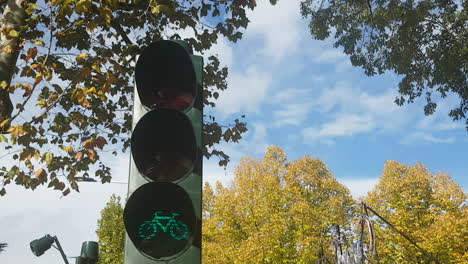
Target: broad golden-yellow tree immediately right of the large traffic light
[274, 212]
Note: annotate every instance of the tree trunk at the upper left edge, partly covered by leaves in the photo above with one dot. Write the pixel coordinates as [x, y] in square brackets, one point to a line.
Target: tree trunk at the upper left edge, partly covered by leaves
[14, 16]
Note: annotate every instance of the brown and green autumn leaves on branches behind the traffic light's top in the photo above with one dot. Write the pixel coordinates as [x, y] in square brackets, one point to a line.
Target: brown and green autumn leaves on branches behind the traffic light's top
[72, 84]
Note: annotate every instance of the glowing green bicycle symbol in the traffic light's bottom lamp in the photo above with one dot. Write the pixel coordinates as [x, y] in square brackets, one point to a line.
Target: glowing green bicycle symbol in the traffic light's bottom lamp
[177, 229]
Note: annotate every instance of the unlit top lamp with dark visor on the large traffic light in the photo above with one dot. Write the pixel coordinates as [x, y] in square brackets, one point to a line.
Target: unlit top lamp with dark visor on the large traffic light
[165, 76]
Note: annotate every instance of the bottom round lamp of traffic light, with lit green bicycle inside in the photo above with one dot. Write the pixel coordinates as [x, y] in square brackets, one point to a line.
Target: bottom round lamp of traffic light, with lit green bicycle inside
[160, 220]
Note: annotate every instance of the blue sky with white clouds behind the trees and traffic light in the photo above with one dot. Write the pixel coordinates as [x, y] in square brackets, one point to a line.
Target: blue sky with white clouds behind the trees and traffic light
[296, 92]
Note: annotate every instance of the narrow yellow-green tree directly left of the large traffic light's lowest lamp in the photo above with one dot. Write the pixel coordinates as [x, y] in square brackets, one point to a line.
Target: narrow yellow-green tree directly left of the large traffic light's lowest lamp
[111, 232]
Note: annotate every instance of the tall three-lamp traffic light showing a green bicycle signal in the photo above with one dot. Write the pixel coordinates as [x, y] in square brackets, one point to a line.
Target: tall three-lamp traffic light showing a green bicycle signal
[162, 215]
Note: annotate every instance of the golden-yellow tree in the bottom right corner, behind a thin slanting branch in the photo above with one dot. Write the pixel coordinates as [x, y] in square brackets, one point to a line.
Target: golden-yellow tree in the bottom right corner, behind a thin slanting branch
[429, 208]
